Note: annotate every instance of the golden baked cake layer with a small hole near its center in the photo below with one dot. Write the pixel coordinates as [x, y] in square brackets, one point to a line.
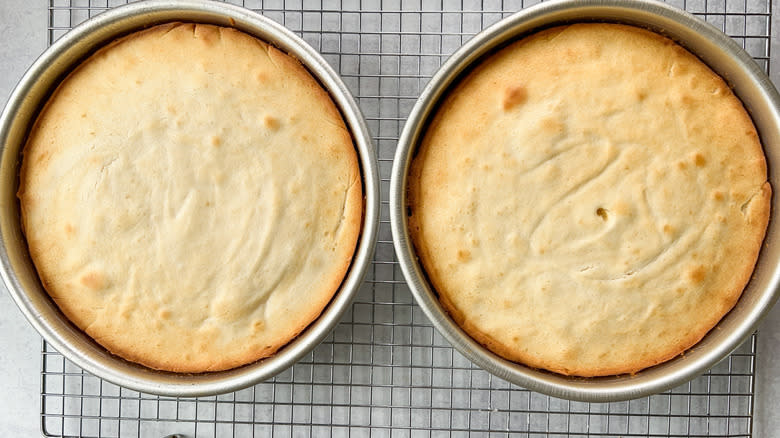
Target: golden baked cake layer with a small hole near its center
[590, 200]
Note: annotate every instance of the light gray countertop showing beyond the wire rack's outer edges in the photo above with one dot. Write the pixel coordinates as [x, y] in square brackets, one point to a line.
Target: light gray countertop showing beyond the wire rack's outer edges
[23, 26]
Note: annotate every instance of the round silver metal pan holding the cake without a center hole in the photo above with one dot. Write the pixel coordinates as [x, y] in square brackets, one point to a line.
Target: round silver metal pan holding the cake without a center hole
[18, 272]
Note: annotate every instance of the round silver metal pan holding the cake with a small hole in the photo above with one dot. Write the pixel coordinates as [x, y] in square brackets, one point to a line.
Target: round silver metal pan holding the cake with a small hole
[726, 58]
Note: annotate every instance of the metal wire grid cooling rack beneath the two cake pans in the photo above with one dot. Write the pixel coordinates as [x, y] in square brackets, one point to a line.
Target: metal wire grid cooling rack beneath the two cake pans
[384, 371]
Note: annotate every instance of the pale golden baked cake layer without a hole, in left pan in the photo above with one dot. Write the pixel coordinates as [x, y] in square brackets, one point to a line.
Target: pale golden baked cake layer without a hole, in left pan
[191, 198]
